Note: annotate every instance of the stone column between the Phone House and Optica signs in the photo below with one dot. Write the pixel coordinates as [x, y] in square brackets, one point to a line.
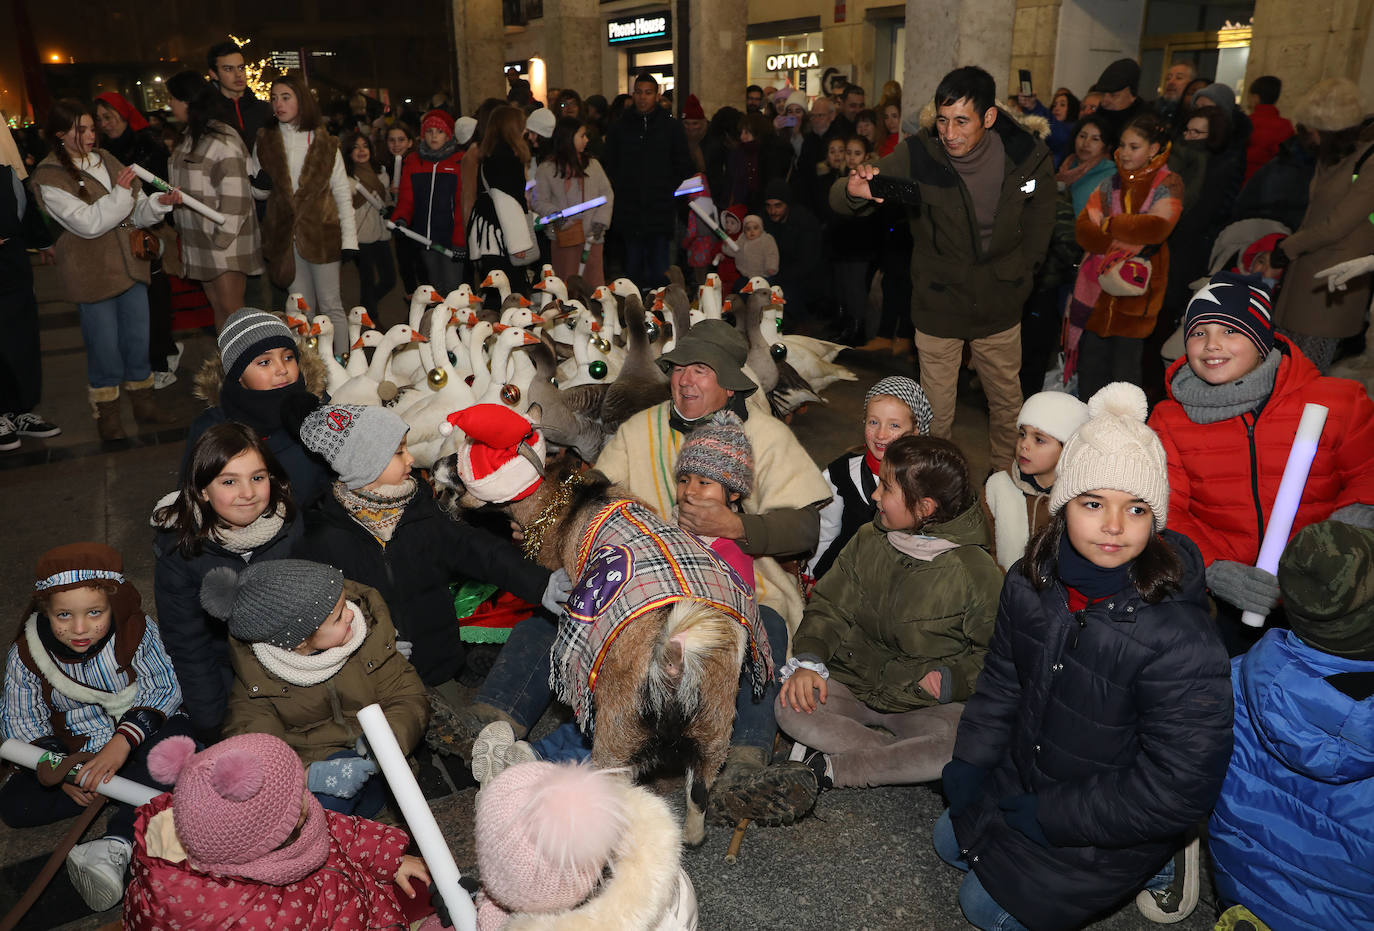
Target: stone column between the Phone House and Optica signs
[717, 46]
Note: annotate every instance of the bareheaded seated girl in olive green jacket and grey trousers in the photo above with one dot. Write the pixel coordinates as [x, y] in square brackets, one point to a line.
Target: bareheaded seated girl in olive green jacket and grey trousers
[897, 631]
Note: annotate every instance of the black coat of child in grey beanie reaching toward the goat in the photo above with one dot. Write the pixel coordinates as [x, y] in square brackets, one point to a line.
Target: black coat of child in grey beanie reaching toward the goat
[413, 572]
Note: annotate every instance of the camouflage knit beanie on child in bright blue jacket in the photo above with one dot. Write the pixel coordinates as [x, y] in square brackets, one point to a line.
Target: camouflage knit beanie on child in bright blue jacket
[1327, 576]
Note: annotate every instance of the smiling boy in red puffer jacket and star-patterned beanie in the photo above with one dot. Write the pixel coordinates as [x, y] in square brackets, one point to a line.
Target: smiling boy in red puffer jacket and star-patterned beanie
[1228, 426]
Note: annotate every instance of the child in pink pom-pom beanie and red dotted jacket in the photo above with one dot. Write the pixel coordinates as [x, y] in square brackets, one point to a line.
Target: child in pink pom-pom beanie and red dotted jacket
[241, 844]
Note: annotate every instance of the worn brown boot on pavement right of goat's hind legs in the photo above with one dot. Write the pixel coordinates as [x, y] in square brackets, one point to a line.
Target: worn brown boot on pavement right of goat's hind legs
[772, 796]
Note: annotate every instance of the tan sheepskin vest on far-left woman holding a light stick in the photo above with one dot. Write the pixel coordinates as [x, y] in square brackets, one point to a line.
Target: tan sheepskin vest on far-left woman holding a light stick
[93, 270]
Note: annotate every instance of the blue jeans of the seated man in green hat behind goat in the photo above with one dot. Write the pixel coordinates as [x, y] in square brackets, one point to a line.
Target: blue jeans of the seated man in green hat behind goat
[519, 682]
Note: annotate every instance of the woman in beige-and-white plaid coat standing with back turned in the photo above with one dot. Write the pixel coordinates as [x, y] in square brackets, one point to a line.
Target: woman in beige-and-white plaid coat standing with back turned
[211, 163]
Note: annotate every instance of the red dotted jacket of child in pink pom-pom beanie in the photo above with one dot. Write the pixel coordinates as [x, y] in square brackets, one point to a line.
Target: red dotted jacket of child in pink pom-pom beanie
[352, 890]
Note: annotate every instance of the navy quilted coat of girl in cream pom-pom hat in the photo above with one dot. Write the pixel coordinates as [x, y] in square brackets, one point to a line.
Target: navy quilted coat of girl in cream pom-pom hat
[1118, 719]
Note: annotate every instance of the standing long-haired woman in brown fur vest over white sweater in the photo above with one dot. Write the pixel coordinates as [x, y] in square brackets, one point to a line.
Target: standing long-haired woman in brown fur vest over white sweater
[310, 227]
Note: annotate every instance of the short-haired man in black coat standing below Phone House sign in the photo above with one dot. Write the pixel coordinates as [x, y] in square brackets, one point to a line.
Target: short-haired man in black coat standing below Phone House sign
[646, 160]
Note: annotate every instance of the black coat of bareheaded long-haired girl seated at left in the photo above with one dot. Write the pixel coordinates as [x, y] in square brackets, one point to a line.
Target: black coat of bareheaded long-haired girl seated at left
[197, 643]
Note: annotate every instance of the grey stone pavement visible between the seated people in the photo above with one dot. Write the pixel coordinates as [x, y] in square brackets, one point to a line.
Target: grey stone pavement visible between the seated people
[864, 860]
